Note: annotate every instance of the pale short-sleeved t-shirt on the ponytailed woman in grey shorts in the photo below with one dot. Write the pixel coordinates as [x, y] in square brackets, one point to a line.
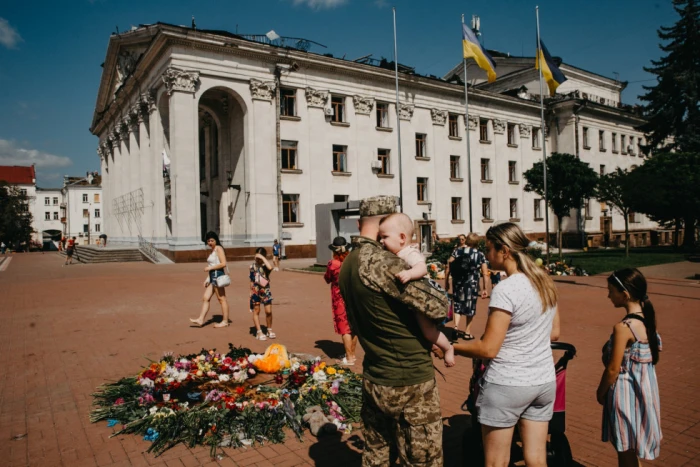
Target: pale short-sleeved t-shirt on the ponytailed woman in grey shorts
[525, 358]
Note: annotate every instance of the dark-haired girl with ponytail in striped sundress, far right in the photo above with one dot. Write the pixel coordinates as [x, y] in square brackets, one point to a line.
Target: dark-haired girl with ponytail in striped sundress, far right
[628, 390]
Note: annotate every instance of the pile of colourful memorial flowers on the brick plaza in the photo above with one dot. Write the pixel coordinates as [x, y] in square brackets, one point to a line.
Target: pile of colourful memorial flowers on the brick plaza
[222, 400]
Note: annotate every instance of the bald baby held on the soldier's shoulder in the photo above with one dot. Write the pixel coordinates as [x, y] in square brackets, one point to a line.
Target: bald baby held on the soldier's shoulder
[395, 233]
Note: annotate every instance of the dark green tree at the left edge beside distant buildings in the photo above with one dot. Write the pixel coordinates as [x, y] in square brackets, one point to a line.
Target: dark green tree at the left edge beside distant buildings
[15, 218]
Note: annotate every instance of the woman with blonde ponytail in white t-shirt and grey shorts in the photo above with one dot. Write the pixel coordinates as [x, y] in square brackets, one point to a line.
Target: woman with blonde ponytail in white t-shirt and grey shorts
[519, 383]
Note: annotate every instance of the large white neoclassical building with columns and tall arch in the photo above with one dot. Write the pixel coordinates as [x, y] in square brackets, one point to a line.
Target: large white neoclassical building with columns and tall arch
[207, 130]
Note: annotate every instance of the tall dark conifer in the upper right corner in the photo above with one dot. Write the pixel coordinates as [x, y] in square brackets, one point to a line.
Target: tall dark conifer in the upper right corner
[672, 106]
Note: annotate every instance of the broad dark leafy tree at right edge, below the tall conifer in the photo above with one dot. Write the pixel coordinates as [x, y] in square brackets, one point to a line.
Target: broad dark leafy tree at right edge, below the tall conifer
[667, 189]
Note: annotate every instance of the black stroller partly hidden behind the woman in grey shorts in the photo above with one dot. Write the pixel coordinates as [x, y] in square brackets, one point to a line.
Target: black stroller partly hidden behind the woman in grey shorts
[558, 449]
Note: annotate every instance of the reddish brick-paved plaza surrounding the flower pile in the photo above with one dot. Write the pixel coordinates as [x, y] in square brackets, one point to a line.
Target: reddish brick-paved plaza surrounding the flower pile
[66, 330]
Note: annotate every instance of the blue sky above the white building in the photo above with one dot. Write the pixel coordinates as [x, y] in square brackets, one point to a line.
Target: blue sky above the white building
[50, 52]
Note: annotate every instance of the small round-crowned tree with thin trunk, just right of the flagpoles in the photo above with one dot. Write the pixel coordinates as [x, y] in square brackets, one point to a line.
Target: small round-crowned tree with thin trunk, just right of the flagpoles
[569, 182]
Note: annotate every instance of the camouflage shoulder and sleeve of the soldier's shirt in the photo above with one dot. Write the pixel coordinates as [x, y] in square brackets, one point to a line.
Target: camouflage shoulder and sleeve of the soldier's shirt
[378, 269]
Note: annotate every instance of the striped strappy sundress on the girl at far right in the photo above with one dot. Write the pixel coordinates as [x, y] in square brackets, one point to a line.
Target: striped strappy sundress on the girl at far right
[632, 413]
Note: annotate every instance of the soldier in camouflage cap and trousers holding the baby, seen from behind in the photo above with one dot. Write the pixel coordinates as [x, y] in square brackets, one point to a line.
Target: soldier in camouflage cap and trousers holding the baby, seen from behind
[401, 404]
